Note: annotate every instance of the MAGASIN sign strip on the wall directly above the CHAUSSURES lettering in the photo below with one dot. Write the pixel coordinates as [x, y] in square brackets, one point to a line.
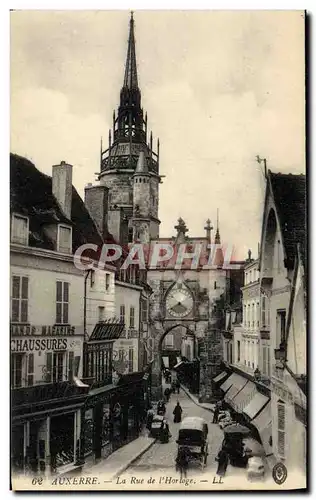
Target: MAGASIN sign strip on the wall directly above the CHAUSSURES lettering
[25, 330]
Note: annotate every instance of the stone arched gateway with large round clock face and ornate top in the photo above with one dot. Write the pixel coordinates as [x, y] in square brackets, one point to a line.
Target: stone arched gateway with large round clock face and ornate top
[186, 299]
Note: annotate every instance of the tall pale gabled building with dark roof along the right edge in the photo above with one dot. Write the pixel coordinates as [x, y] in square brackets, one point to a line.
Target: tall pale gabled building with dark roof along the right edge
[282, 278]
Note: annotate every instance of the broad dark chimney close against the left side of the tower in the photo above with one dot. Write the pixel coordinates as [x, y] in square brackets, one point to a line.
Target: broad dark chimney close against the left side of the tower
[96, 201]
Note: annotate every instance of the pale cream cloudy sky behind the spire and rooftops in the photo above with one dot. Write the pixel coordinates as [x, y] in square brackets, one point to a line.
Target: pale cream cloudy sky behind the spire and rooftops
[220, 88]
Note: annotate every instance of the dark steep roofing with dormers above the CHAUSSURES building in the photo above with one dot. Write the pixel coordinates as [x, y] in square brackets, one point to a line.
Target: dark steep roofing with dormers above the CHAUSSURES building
[31, 195]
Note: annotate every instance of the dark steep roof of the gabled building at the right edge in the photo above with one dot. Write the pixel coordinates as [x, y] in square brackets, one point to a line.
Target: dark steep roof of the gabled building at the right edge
[289, 193]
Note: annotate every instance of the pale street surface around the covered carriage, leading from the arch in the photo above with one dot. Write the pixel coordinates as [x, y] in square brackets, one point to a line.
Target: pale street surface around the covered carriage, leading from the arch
[159, 460]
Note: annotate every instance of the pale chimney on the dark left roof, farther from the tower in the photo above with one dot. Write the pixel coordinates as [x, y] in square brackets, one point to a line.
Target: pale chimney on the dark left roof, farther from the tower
[62, 186]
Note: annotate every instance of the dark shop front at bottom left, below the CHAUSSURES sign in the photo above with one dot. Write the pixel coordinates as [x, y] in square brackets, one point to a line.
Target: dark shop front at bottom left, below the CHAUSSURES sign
[46, 426]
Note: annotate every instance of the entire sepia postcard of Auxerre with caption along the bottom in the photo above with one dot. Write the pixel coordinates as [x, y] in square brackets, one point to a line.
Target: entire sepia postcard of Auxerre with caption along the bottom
[158, 250]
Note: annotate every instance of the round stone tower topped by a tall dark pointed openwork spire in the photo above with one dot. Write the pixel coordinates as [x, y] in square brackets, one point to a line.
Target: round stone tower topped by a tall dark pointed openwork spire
[129, 167]
